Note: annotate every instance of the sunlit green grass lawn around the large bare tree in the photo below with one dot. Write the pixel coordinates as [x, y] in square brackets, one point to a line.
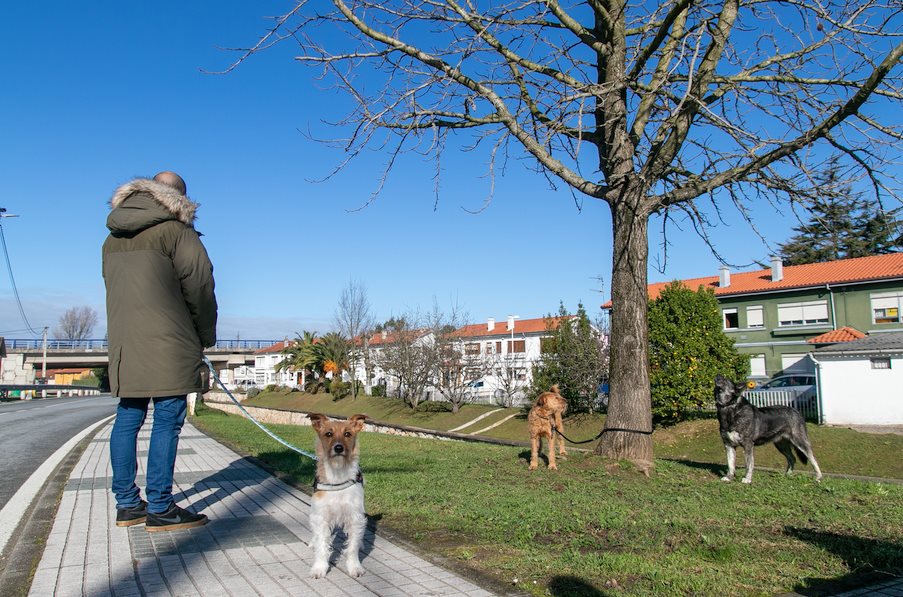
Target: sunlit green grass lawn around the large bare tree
[597, 527]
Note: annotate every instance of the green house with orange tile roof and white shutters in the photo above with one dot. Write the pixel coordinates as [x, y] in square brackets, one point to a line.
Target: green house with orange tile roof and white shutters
[772, 314]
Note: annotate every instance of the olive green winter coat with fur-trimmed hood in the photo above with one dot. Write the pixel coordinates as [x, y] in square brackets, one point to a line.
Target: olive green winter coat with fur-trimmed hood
[161, 307]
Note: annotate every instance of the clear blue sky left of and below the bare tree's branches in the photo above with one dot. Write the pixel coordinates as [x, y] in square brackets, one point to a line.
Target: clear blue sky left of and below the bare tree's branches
[95, 93]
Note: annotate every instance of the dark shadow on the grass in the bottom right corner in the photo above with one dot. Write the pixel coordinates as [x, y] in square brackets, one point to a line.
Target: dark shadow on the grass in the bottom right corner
[869, 560]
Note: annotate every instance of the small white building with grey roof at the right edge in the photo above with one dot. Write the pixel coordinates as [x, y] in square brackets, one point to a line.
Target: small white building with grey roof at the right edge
[861, 382]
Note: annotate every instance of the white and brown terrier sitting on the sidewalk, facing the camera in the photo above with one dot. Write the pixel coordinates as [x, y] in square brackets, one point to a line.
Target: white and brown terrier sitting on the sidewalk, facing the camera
[338, 499]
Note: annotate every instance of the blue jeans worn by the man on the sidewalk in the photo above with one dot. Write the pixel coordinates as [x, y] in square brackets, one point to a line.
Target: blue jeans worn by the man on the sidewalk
[169, 416]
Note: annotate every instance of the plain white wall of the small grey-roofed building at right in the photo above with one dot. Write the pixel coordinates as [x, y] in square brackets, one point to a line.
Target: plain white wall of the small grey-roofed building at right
[855, 394]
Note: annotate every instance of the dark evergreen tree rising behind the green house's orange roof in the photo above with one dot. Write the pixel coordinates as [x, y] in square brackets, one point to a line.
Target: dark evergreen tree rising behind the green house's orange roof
[842, 225]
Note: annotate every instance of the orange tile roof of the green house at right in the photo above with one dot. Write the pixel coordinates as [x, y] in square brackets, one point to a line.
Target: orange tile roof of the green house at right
[842, 271]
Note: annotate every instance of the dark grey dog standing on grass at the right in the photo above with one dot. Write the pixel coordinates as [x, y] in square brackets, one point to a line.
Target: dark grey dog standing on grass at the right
[743, 424]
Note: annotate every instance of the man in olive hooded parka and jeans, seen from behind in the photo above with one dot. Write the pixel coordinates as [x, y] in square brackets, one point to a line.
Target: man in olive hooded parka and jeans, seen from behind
[161, 314]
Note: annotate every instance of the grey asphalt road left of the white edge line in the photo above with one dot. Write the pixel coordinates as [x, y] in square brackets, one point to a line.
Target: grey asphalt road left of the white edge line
[32, 430]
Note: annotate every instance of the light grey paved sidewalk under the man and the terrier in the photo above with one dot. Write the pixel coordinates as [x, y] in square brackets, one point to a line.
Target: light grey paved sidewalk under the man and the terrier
[256, 542]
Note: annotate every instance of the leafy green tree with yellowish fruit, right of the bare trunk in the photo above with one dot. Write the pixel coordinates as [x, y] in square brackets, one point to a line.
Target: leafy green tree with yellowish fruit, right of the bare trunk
[687, 348]
